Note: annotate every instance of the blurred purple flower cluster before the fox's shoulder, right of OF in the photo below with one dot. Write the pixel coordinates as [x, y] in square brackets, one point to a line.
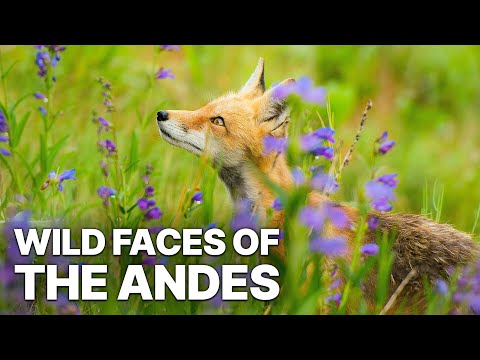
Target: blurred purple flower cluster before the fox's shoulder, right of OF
[316, 218]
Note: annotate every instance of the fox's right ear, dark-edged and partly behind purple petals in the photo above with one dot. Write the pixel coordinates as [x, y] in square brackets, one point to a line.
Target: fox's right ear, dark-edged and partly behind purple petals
[275, 114]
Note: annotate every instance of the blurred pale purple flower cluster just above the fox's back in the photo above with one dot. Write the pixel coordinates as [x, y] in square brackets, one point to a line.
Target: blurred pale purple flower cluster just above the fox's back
[380, 192]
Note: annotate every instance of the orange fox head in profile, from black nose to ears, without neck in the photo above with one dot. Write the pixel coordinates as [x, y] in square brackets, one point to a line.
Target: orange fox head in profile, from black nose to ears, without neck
[231, 128]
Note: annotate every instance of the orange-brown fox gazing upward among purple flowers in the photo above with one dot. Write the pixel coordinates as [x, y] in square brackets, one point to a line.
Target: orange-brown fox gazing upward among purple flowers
[230, 130]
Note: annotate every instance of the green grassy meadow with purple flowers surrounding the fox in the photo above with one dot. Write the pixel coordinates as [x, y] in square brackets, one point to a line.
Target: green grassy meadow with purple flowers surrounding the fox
[93, 109]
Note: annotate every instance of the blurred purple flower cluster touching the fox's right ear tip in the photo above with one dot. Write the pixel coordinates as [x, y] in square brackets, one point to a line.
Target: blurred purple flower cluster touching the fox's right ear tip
[304, 88]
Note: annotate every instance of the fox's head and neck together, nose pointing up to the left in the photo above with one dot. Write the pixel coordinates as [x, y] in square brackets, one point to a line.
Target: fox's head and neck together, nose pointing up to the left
[230, 131]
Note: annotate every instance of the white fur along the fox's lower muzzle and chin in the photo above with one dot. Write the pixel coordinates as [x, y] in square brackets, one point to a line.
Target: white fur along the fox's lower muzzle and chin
[182, 138]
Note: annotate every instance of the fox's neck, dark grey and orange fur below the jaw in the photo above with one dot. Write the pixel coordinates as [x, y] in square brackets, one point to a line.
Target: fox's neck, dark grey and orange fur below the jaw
[245, 181]
